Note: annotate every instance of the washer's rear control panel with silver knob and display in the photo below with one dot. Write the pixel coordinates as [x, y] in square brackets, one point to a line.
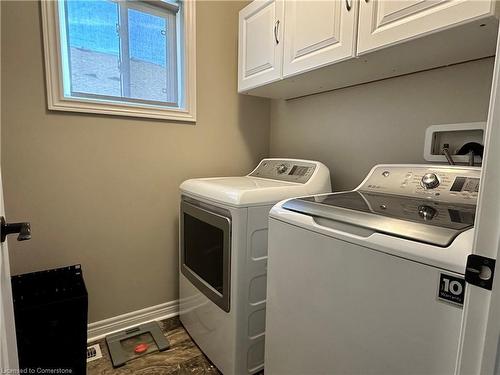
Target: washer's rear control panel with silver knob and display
[455, 184]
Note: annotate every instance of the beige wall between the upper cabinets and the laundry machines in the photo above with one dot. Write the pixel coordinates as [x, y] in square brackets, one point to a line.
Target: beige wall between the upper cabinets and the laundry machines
[351, 130]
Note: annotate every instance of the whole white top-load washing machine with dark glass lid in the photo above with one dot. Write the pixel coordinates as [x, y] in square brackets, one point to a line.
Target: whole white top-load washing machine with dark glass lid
[371, 281]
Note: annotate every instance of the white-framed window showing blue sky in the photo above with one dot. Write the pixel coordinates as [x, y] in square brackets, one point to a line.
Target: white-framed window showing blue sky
[132, 58]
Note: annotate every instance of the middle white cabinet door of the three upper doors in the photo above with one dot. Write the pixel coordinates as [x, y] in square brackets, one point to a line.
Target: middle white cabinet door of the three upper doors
[318, 33]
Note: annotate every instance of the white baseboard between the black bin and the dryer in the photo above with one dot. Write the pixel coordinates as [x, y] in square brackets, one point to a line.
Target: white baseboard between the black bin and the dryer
[102, 328]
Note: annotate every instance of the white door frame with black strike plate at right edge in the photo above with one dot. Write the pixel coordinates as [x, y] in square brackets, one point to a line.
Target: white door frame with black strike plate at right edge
[479, 342]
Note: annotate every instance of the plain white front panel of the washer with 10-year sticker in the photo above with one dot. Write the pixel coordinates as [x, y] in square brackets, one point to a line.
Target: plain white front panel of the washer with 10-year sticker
[335, 307]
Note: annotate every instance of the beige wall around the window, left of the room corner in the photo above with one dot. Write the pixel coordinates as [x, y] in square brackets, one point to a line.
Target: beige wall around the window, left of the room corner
[103, 191]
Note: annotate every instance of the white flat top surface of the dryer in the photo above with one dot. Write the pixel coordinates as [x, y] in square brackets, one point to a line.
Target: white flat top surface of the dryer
[243, 191]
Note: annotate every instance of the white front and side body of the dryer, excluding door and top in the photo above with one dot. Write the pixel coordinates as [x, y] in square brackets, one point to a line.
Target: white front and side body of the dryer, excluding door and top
[234, 340]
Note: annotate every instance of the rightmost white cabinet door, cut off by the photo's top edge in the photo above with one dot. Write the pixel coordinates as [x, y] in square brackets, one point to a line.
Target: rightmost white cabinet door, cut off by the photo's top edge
[387, 22]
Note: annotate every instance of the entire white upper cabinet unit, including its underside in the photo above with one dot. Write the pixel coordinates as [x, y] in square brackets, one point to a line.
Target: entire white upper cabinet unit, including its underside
[292, 48]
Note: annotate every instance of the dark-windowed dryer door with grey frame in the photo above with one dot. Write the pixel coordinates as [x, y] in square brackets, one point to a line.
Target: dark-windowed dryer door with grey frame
[206, 252]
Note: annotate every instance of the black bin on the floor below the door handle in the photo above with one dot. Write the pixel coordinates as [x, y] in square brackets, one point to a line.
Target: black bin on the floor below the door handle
[50, 309]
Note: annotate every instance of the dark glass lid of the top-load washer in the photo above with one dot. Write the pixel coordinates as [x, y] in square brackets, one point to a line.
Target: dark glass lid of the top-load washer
[422, 220]
